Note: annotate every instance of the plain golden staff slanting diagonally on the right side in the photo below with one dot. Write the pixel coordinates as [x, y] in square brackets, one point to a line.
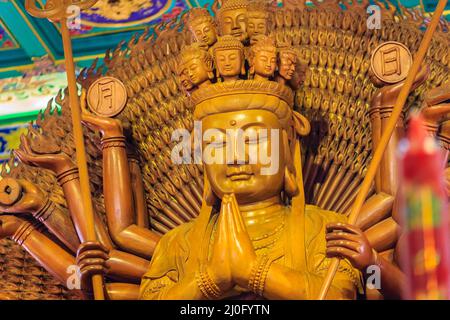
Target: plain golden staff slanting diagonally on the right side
[386, 136]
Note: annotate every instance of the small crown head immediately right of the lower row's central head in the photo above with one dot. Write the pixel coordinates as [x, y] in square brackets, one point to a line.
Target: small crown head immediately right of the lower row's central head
[263, 58]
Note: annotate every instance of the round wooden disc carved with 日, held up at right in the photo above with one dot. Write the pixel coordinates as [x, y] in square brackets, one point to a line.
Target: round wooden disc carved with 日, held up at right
[391, 62]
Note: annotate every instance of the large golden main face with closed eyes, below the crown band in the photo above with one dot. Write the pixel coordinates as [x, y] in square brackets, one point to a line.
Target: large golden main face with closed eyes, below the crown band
[239, 137]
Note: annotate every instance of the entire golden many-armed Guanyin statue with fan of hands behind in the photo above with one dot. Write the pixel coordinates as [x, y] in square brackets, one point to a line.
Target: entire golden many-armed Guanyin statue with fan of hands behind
[258, 219]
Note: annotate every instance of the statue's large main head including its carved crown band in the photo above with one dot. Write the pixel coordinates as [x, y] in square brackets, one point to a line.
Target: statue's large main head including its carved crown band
[247, 134]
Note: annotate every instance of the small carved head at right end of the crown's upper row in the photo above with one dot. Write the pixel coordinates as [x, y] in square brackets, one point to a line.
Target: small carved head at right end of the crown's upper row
[257, 19]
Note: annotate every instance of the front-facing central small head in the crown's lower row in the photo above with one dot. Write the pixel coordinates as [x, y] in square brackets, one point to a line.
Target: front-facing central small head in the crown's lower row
[229, 58]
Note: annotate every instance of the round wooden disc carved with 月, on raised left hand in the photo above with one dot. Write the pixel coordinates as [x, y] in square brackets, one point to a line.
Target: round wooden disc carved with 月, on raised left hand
[107, 97]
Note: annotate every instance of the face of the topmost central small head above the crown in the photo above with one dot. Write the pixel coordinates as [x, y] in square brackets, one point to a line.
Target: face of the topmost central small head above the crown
[234, 22]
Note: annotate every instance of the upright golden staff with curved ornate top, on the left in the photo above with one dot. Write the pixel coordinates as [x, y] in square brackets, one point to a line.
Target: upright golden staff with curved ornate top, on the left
[57, 10]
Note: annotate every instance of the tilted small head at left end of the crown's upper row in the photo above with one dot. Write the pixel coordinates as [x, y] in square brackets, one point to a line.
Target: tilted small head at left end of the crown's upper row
[202, 26]
